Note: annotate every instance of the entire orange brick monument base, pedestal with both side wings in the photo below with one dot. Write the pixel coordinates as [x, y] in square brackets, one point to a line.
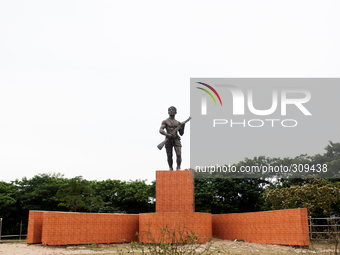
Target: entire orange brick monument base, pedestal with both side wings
[174, 222]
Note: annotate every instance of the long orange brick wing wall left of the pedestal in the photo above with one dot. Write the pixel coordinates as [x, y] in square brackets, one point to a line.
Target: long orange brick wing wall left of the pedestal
[62, 228]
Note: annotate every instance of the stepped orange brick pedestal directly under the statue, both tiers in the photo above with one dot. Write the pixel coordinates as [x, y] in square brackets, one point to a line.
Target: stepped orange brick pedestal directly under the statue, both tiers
[175, 220]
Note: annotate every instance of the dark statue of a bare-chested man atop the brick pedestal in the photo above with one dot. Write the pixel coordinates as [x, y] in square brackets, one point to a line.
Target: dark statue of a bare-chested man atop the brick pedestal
[174, 140]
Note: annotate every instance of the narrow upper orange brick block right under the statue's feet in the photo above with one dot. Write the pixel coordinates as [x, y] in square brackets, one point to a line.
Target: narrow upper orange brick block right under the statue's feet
[175, 191]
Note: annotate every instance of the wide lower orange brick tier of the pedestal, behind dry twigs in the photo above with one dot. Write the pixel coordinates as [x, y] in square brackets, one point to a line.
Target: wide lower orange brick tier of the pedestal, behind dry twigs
[174, 227]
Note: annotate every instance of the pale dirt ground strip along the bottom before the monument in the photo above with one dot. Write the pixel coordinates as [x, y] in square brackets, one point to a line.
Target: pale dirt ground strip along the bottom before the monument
[217, 247]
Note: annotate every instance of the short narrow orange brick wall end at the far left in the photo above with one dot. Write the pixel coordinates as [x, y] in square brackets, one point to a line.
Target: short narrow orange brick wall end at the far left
[35, 221]
